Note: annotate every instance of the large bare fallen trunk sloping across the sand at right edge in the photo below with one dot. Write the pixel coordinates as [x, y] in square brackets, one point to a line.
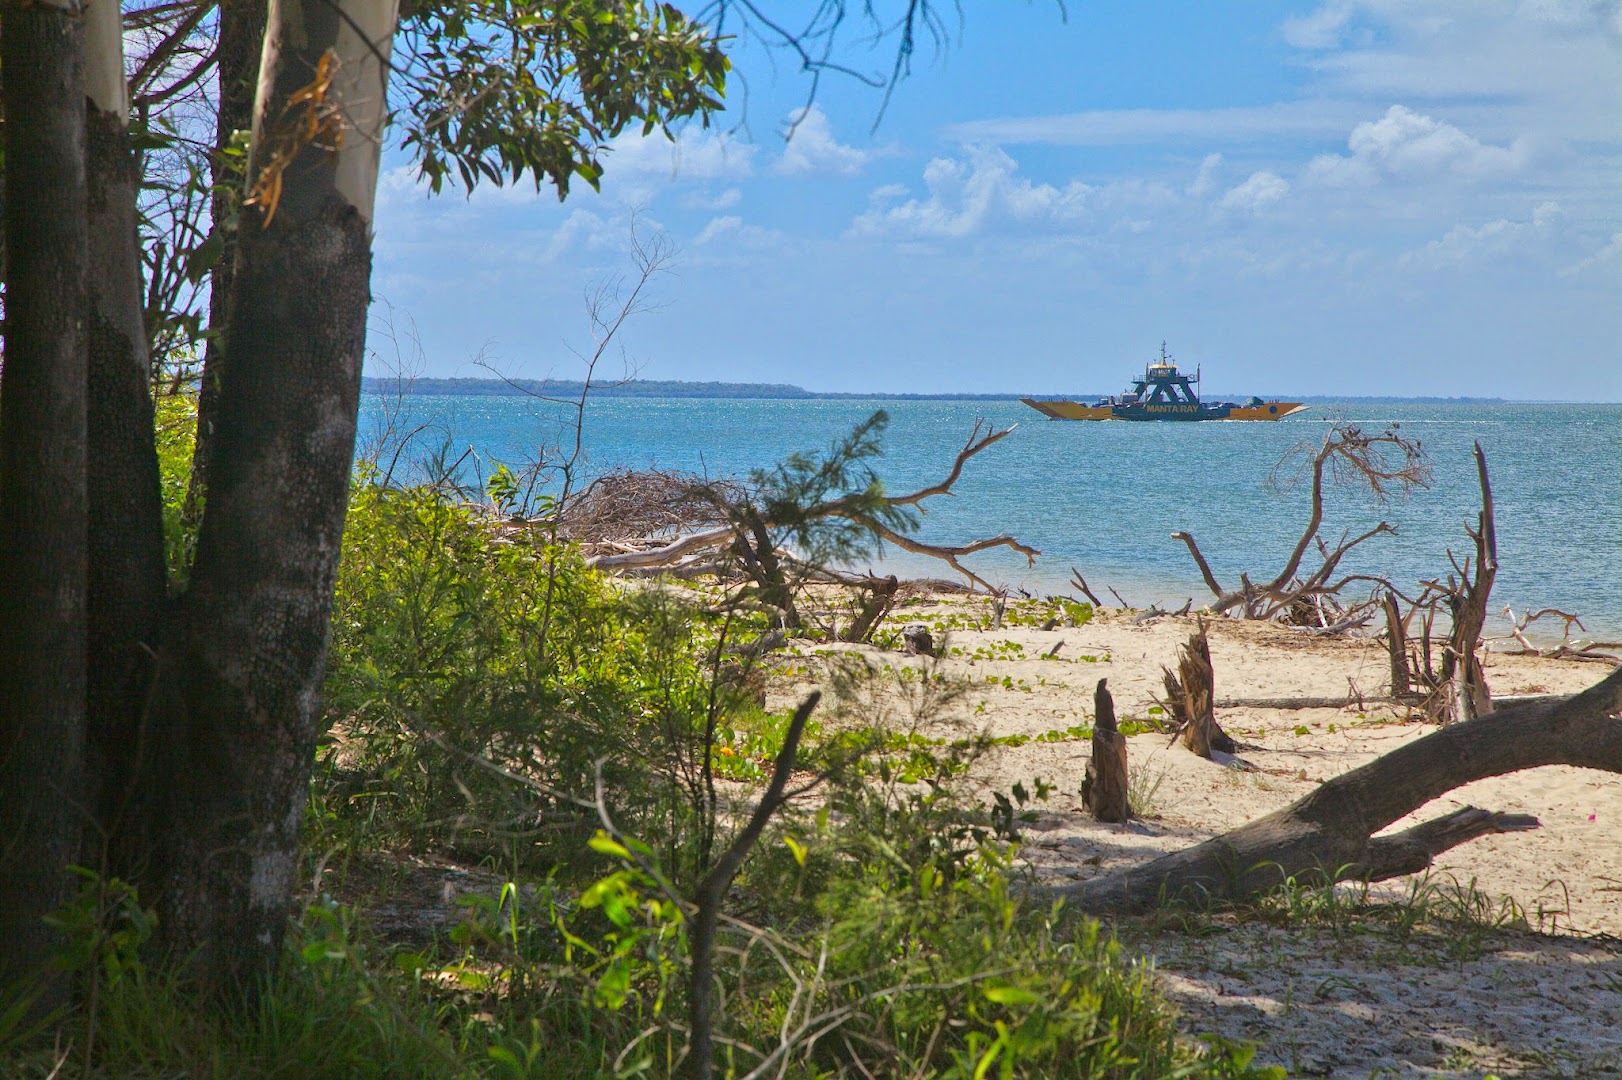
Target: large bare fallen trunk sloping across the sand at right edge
[1331, 833]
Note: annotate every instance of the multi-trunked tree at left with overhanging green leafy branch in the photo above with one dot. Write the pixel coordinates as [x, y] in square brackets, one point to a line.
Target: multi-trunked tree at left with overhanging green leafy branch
[168, 739]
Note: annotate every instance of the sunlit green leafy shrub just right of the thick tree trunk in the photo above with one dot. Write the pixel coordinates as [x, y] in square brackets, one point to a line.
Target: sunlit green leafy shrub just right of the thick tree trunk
[481, 685]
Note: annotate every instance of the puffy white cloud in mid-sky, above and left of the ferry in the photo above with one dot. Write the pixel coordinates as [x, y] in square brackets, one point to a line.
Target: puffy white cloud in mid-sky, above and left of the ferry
[966, 197]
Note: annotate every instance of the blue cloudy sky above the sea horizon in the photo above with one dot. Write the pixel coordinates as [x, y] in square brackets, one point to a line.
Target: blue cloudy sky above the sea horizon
[1360, 197]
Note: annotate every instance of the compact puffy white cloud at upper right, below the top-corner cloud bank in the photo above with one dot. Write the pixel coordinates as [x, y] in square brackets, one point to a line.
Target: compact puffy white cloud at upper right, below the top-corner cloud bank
[1414, 147]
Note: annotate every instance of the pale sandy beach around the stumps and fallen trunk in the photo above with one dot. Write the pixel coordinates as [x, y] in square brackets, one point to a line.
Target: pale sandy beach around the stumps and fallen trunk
[1542, 996]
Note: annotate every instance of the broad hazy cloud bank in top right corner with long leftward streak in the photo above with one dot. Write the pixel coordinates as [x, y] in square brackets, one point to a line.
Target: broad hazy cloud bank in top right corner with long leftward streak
[1506, 69]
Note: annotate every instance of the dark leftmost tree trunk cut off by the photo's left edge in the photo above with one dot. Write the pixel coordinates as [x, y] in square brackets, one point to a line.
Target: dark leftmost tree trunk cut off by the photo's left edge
[43, 500]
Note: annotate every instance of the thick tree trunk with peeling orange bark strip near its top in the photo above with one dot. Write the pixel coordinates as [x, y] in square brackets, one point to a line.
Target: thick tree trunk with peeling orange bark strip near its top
[244, 672]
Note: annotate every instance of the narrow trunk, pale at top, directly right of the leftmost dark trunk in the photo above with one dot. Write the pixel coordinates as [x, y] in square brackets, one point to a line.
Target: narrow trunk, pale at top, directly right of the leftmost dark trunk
[126, 500]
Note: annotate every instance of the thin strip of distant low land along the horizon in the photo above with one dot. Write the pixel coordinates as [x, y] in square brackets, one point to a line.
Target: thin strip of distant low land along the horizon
[778, 392]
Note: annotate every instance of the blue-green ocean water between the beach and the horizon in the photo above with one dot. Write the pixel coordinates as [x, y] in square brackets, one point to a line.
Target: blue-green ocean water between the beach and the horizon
[1104, 499]
